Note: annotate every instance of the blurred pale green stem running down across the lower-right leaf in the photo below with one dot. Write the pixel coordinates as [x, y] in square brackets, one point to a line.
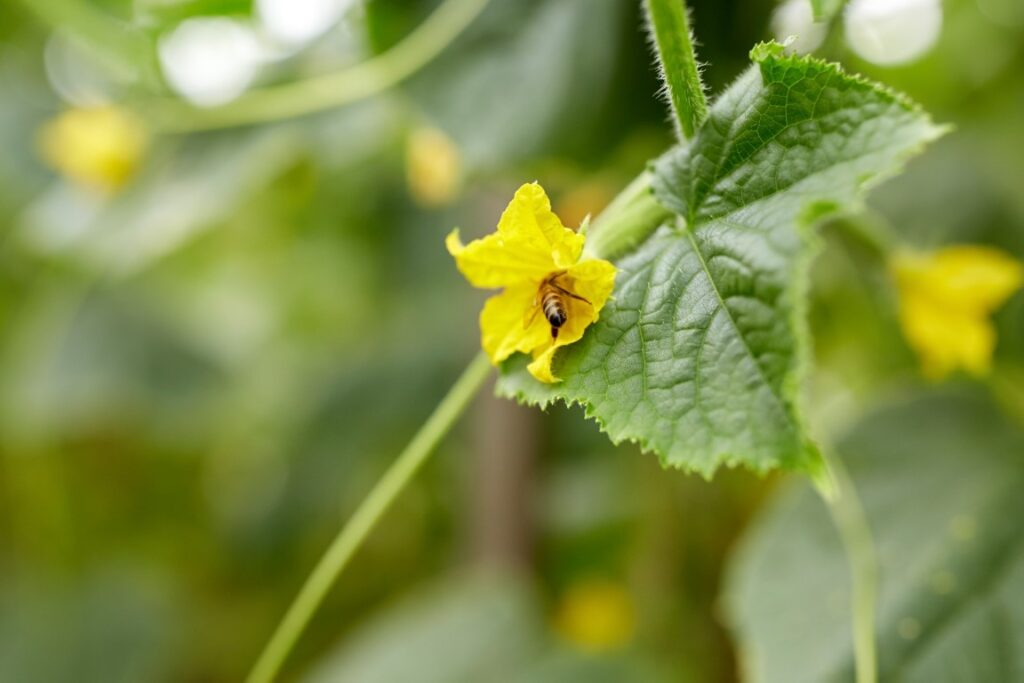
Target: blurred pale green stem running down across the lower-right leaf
[848, 515]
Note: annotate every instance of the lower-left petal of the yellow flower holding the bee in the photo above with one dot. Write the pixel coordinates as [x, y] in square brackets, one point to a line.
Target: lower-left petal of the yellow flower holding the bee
[511, 322]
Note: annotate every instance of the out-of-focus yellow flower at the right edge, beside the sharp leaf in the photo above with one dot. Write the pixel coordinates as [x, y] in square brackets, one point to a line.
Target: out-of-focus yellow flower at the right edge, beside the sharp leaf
[946, 301]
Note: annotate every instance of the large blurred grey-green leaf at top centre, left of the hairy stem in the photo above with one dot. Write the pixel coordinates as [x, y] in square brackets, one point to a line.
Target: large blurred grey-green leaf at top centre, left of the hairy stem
[476, 91]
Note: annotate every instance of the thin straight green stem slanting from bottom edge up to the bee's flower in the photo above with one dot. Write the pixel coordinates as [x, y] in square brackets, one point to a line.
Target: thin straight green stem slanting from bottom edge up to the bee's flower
[366, 518]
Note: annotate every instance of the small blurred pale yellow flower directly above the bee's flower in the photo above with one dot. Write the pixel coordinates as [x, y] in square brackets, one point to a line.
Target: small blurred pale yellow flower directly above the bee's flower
[434, 167]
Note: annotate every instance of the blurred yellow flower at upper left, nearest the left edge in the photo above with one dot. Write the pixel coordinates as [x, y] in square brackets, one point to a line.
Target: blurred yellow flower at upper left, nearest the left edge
[100, 148]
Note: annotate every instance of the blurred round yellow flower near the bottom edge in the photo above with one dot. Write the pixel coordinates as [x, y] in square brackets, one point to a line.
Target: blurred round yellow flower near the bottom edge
[596, 616]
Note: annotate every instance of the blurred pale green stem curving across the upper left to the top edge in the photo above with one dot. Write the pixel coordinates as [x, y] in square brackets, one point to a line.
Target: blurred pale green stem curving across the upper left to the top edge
[324, 93]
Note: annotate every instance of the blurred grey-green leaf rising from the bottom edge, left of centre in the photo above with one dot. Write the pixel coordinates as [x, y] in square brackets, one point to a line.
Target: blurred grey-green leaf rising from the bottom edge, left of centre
[481, 627]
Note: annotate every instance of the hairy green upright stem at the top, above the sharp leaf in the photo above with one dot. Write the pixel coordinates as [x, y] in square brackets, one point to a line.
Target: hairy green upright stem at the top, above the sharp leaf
[670, 28]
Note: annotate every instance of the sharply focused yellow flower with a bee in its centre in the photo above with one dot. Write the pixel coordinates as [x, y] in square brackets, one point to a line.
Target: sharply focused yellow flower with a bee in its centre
[531, 255]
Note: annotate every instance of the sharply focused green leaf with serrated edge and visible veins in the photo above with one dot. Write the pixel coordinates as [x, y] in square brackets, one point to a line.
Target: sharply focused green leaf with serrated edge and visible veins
[699, 358]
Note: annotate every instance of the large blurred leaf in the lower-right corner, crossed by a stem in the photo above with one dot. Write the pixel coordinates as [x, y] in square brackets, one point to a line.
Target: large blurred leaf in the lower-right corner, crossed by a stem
[941, 479]
